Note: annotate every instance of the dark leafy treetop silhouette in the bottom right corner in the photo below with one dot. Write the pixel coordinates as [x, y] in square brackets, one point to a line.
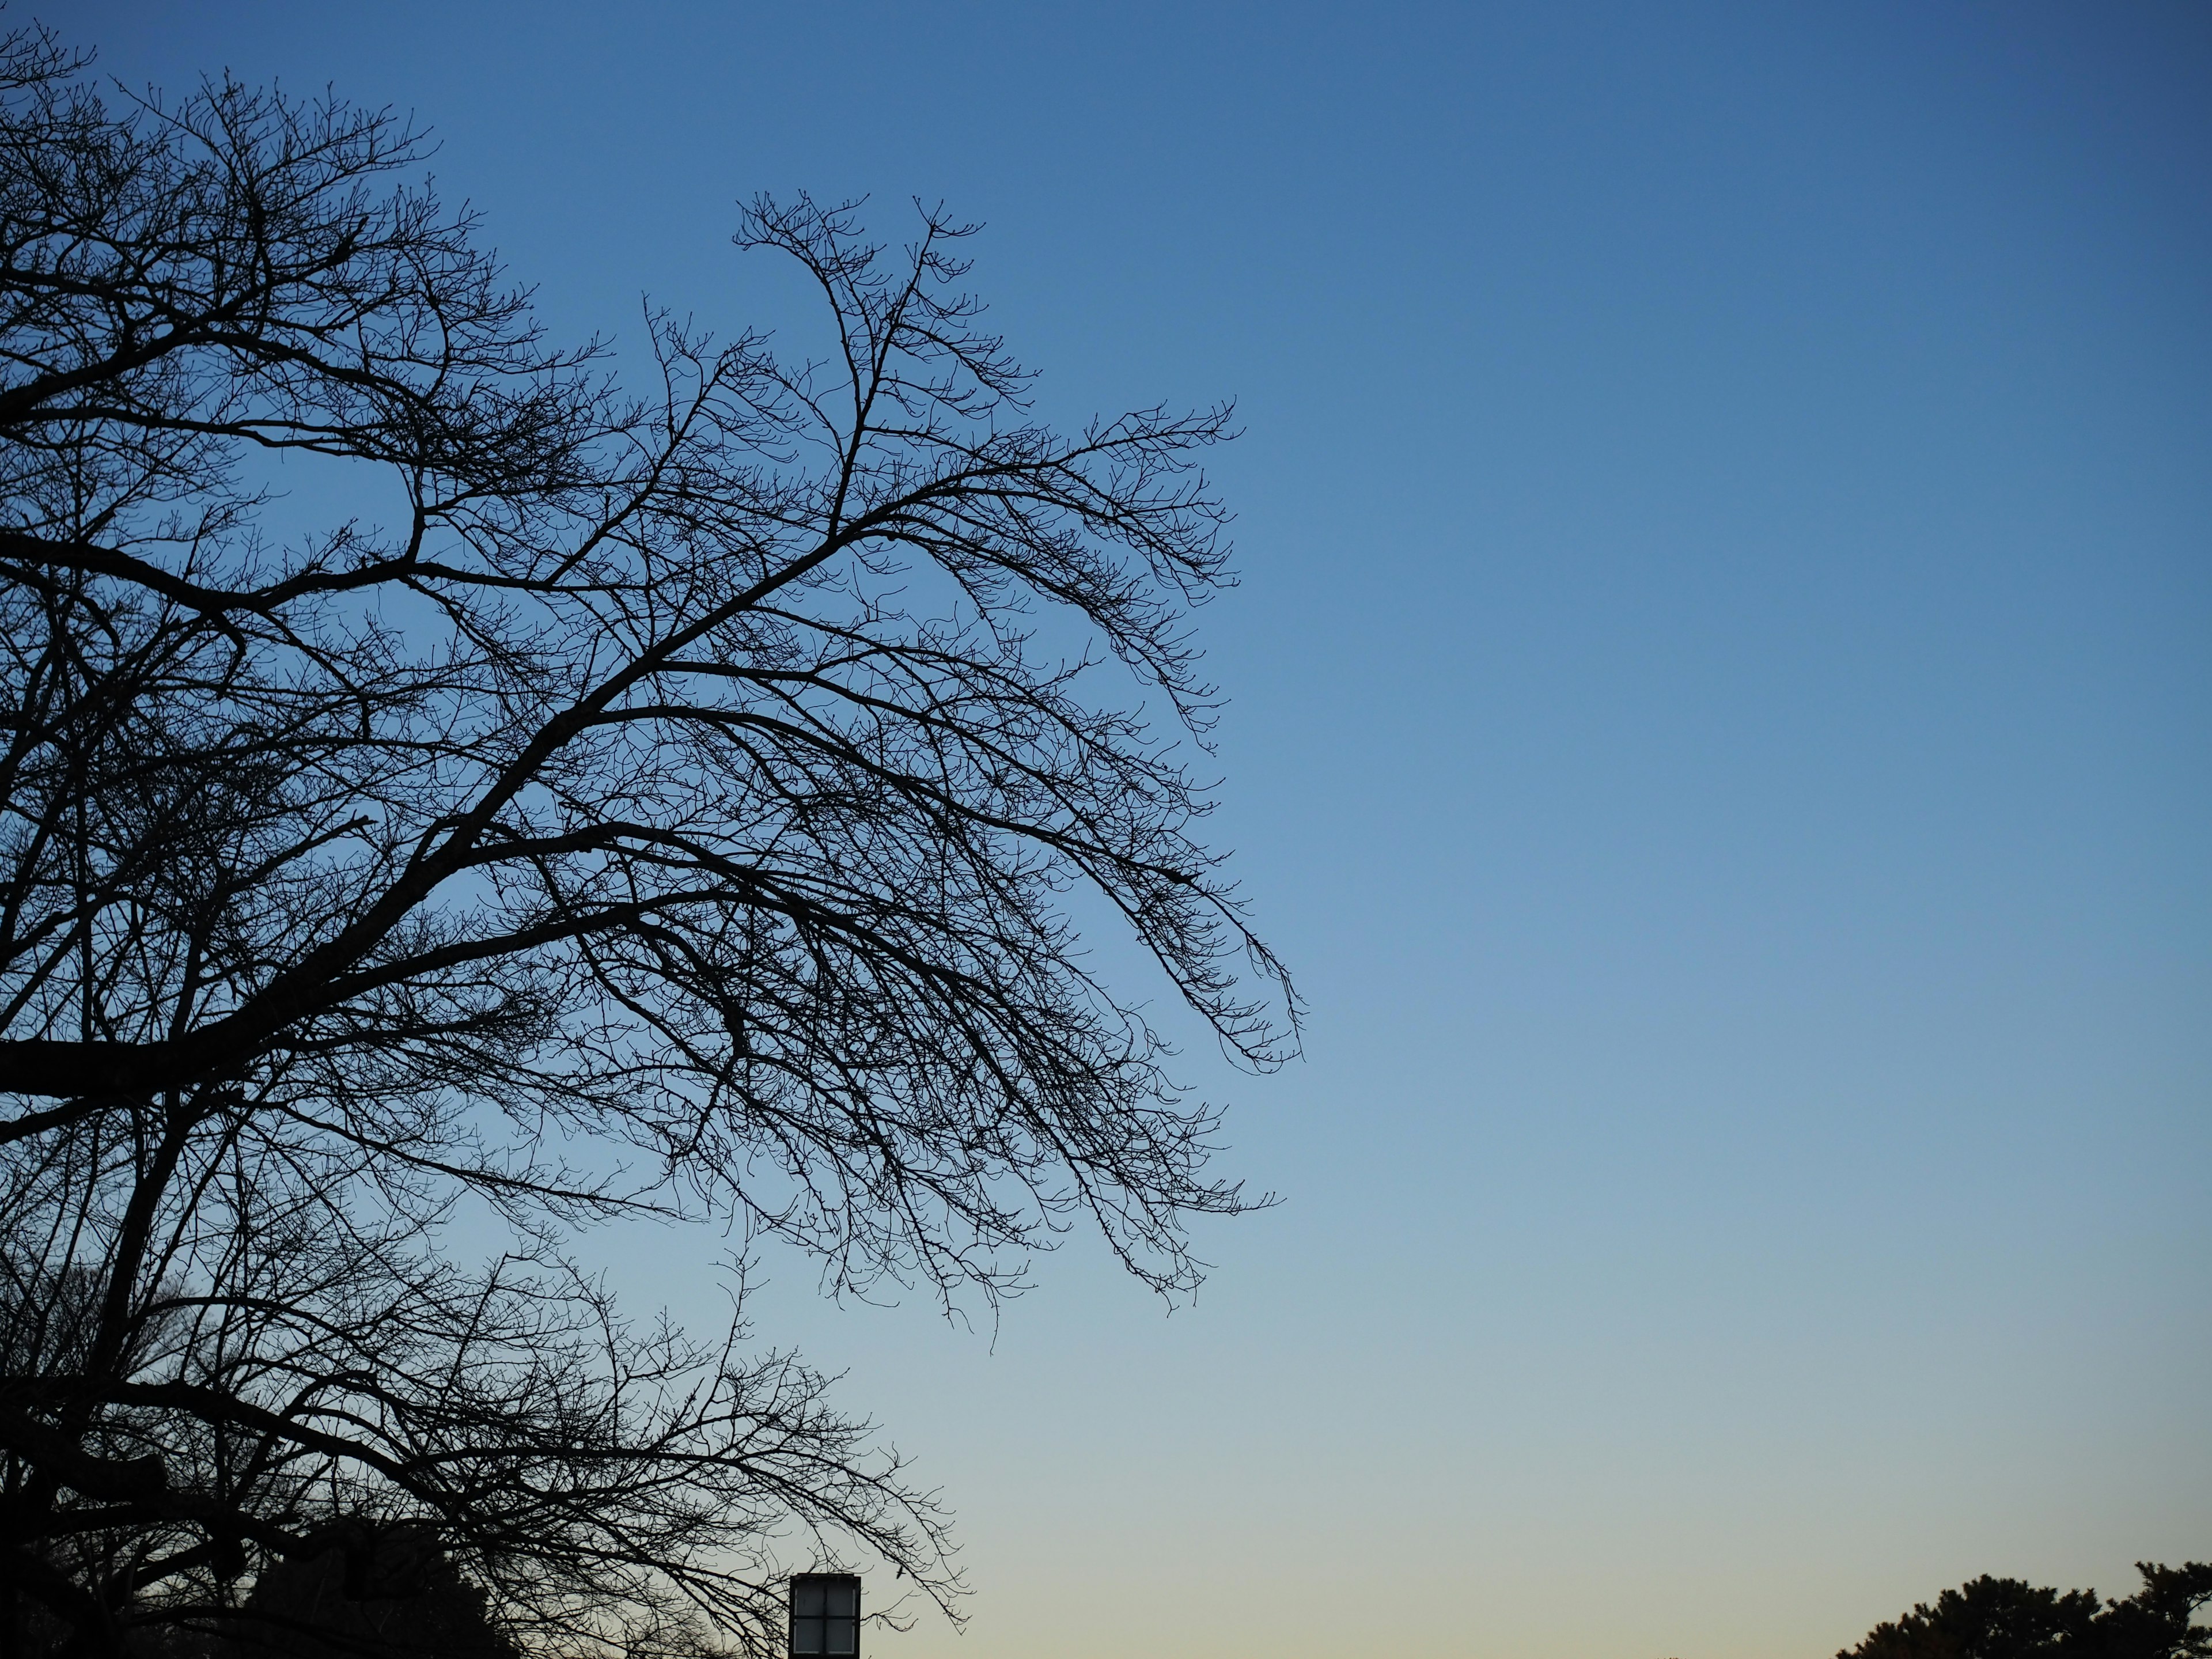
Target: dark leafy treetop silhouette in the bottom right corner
[2012, 1620]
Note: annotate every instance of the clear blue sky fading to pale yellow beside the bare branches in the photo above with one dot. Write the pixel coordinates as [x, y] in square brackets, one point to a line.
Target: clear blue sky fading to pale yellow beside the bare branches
[1722, 727]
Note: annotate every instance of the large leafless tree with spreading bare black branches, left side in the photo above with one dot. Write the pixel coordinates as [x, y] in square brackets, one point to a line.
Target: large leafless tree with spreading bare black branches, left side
[647, 804]
